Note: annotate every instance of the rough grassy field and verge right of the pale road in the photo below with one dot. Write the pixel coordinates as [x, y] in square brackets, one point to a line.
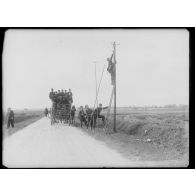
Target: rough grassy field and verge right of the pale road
[153, 134]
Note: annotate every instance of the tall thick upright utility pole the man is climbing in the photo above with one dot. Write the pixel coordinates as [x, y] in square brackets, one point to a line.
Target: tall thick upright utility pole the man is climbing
[114, 53]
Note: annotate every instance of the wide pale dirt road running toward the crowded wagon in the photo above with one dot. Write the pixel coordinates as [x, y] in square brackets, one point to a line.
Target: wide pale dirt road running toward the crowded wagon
[43, 145]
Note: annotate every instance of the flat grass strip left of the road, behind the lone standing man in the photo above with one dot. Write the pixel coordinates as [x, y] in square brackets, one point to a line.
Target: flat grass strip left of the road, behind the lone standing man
[22, 119]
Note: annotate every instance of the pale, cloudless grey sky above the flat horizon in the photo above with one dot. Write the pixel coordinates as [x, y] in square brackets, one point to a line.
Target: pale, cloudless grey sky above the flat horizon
[152, 66]
